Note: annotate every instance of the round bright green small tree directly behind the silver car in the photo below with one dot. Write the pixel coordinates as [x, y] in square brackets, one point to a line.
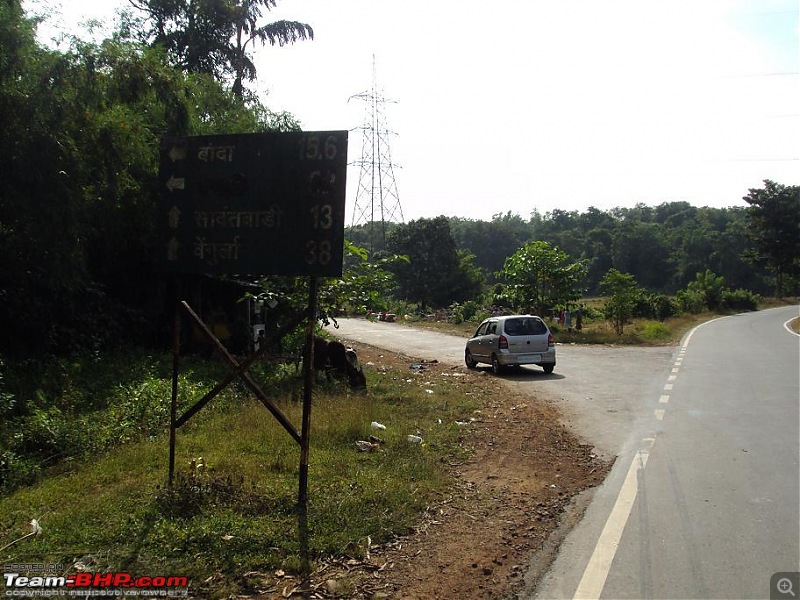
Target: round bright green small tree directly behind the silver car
[540, 277]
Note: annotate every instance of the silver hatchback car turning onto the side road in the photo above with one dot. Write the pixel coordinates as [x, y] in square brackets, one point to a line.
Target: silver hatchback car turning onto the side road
[511, 341]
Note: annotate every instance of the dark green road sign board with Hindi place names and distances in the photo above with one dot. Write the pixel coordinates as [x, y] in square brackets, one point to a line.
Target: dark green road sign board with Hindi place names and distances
[254, 204]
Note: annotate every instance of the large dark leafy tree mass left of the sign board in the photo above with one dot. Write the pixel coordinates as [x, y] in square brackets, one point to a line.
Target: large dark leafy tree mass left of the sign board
[78, 210]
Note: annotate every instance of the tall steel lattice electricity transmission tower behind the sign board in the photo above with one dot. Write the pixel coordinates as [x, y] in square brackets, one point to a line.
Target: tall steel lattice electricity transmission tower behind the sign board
[377, 201]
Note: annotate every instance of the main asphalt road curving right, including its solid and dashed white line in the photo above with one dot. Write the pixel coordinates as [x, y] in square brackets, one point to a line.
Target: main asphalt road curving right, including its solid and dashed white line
[706, 504]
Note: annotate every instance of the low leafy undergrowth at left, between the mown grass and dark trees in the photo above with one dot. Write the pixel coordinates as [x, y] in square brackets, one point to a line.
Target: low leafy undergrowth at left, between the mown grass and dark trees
[64, 409]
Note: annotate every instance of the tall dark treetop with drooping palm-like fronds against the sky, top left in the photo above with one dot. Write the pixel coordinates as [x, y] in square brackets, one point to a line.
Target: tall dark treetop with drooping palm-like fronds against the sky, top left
[214, 36]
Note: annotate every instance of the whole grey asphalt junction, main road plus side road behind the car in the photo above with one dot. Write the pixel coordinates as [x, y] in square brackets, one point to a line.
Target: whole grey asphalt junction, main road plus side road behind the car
[704, 498]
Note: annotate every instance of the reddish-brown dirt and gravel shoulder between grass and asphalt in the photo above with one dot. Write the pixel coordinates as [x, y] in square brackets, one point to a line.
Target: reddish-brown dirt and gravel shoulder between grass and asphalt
[479, 541]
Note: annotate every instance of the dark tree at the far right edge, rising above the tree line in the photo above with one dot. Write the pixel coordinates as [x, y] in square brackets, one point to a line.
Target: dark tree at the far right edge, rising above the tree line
[774, 215]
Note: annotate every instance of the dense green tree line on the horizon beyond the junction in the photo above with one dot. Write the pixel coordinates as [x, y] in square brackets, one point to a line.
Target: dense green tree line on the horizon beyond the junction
[662, 248]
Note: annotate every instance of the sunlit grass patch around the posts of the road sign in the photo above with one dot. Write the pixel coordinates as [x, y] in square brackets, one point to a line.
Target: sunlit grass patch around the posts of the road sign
[237, 514]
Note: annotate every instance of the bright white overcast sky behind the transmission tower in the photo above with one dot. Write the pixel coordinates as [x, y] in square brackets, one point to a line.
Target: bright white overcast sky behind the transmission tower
[516, 105]
